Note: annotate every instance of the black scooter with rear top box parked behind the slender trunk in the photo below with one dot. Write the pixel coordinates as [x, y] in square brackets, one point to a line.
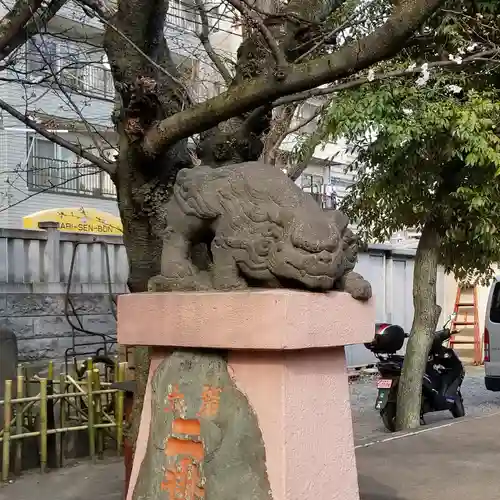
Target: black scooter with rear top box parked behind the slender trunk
[443, 376]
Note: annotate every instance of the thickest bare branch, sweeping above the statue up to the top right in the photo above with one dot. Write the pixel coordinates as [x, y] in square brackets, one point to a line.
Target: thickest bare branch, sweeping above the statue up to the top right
[381, 44]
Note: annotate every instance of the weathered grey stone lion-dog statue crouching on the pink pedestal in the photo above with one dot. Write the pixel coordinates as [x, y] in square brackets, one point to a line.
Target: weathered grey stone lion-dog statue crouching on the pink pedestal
[262, 231]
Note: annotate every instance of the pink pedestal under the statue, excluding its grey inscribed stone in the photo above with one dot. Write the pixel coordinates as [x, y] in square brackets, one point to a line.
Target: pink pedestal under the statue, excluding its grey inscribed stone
[286, 354]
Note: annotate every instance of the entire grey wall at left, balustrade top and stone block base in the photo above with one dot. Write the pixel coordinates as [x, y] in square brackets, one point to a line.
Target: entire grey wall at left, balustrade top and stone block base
[34, 277]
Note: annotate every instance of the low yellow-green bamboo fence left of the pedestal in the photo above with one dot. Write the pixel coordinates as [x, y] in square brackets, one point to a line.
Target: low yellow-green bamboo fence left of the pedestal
[84, 405]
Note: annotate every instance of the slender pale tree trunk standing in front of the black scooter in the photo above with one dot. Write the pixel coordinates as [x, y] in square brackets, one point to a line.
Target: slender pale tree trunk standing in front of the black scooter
[425, 320]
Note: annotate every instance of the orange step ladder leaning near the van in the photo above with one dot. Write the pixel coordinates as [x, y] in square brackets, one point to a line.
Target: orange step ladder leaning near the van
[464, 339]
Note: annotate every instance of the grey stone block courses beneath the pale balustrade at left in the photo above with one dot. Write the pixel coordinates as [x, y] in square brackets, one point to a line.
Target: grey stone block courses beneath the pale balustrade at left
[42, 329]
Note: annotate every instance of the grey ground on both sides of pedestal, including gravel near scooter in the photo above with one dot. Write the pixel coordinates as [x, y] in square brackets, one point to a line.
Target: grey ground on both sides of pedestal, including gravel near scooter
[448, 459]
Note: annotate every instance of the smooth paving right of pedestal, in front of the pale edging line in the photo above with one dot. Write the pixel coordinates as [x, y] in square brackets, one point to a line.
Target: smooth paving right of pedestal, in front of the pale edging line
[455, 460]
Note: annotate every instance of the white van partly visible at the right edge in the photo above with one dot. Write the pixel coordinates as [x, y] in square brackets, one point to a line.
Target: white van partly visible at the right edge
[491, 339]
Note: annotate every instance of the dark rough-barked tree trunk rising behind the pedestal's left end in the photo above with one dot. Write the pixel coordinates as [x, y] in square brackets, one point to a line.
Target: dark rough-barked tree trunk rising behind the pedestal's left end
[144, 94]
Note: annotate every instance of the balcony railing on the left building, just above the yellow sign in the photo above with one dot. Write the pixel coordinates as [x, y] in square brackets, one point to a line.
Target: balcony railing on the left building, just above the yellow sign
[61, 176]
